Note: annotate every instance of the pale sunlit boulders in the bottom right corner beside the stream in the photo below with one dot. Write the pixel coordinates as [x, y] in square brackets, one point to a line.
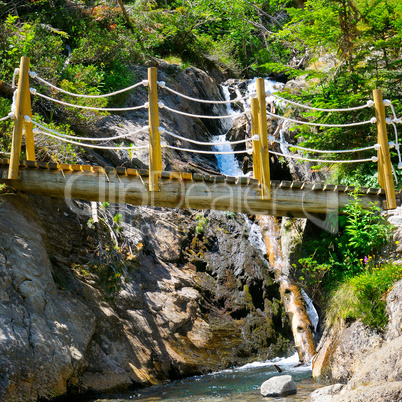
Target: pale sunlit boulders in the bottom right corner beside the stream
[364, 364]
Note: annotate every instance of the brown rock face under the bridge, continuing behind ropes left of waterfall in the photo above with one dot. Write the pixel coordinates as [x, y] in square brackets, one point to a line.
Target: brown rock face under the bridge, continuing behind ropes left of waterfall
[142, 296]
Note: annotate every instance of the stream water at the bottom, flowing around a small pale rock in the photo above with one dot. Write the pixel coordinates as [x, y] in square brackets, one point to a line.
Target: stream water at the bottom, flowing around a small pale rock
[238, 384]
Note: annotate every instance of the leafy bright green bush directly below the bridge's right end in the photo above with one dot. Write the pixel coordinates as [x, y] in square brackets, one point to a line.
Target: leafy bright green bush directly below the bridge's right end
[331, 258]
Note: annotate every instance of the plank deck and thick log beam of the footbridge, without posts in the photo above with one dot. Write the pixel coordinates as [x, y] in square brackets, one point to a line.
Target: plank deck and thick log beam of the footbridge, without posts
[182, 190]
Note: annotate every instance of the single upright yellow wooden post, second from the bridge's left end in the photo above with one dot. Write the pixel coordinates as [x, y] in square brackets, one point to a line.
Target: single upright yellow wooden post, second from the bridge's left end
[155, 155]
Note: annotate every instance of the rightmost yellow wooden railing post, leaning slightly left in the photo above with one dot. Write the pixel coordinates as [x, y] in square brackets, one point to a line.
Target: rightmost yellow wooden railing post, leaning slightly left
[385, 178]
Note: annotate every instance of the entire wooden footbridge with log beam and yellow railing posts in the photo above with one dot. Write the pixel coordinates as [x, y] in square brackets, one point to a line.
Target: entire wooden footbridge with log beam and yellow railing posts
[258, 195]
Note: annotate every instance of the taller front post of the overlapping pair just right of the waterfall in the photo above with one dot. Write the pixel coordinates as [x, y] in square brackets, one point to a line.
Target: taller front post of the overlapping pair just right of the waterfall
[263, 133]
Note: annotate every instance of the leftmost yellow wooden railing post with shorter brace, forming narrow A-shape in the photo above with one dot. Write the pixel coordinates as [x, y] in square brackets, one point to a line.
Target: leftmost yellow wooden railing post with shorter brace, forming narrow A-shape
[22, 108]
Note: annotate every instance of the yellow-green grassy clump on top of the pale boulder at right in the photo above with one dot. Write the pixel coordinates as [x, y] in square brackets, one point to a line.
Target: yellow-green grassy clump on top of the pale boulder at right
[363, 296]
